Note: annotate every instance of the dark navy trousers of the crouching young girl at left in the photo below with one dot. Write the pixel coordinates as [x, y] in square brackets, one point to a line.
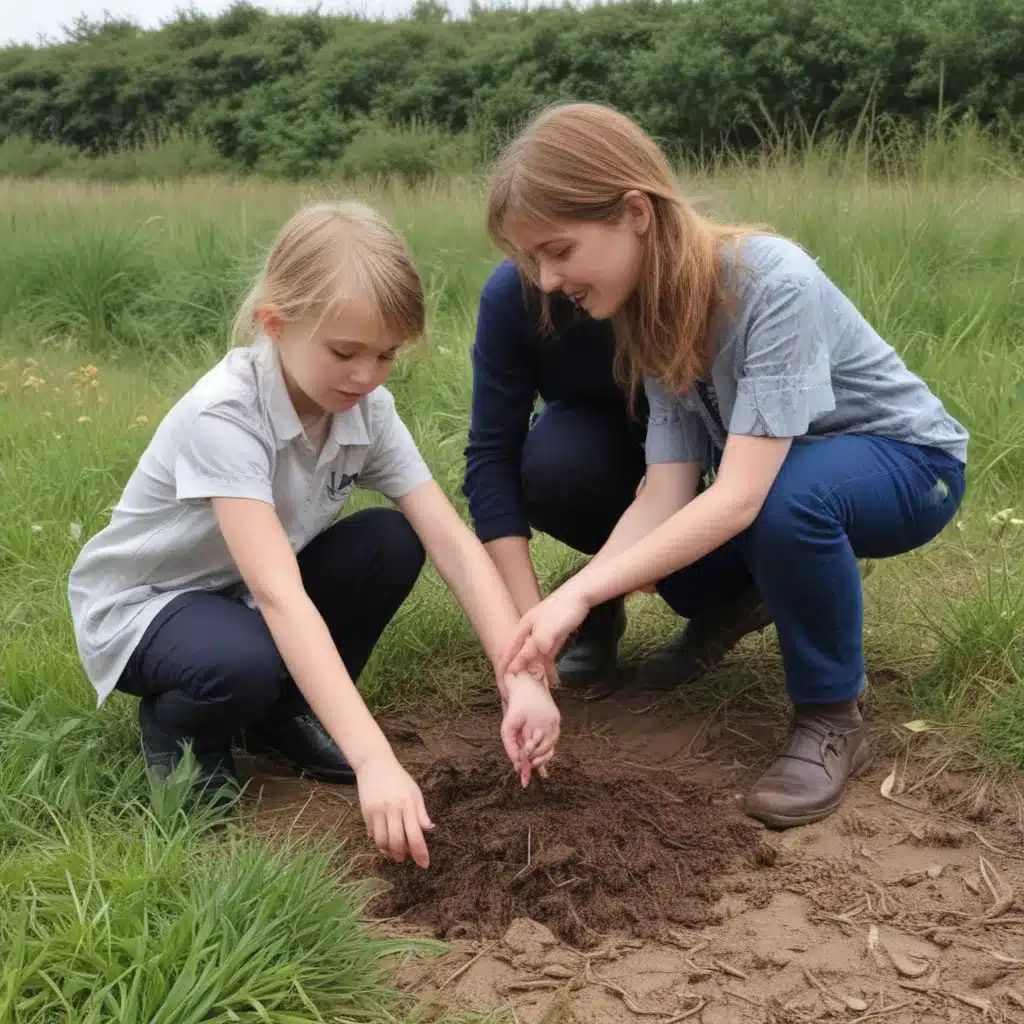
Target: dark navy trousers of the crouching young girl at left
[209, 664]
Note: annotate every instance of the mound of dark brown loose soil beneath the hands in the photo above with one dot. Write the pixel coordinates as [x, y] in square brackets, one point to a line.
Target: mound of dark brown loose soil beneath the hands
[580, 854]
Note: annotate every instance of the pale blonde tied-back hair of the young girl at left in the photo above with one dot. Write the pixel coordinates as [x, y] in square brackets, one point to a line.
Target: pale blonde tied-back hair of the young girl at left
[328, 255]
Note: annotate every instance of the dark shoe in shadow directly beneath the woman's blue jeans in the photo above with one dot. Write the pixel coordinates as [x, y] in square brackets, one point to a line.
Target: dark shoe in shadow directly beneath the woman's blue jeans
[705, 642]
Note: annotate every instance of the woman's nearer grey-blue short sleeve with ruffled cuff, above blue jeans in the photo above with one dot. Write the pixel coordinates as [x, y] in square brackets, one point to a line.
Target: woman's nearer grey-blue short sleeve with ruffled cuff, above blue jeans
[786, 377]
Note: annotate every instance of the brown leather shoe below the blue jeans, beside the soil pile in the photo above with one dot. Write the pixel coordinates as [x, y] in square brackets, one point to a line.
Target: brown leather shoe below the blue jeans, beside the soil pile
[826, 748]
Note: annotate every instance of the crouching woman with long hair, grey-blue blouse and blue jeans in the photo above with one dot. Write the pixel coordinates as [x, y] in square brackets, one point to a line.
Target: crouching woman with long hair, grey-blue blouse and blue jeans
[828, 448]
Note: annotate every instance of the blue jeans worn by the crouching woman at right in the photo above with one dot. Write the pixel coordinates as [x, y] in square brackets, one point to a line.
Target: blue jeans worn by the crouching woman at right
[834, 501]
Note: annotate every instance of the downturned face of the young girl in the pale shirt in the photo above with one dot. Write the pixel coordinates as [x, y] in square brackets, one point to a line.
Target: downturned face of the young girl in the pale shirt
[331, 364]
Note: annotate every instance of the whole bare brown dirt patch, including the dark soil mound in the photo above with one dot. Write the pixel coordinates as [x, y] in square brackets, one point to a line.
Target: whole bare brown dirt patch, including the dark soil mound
[563, 904]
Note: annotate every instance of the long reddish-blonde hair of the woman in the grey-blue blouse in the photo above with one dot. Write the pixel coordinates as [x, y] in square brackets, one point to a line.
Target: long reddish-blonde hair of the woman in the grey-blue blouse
[577, 162]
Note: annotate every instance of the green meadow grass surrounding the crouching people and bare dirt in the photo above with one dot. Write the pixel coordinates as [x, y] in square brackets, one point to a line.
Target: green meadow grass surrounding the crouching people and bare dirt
[114, 298]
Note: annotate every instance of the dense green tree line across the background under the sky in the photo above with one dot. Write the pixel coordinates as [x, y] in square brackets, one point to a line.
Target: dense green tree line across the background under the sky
[291, 95]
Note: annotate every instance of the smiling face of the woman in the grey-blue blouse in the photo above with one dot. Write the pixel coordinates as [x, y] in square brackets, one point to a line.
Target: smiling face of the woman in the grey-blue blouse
[594, 264]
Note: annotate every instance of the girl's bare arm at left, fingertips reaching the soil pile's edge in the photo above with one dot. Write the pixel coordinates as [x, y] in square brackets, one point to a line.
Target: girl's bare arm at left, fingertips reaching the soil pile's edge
[392, 802]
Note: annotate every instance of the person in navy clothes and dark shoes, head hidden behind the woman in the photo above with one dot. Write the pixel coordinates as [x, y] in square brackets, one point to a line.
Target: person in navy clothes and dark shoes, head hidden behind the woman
[571, 472]
